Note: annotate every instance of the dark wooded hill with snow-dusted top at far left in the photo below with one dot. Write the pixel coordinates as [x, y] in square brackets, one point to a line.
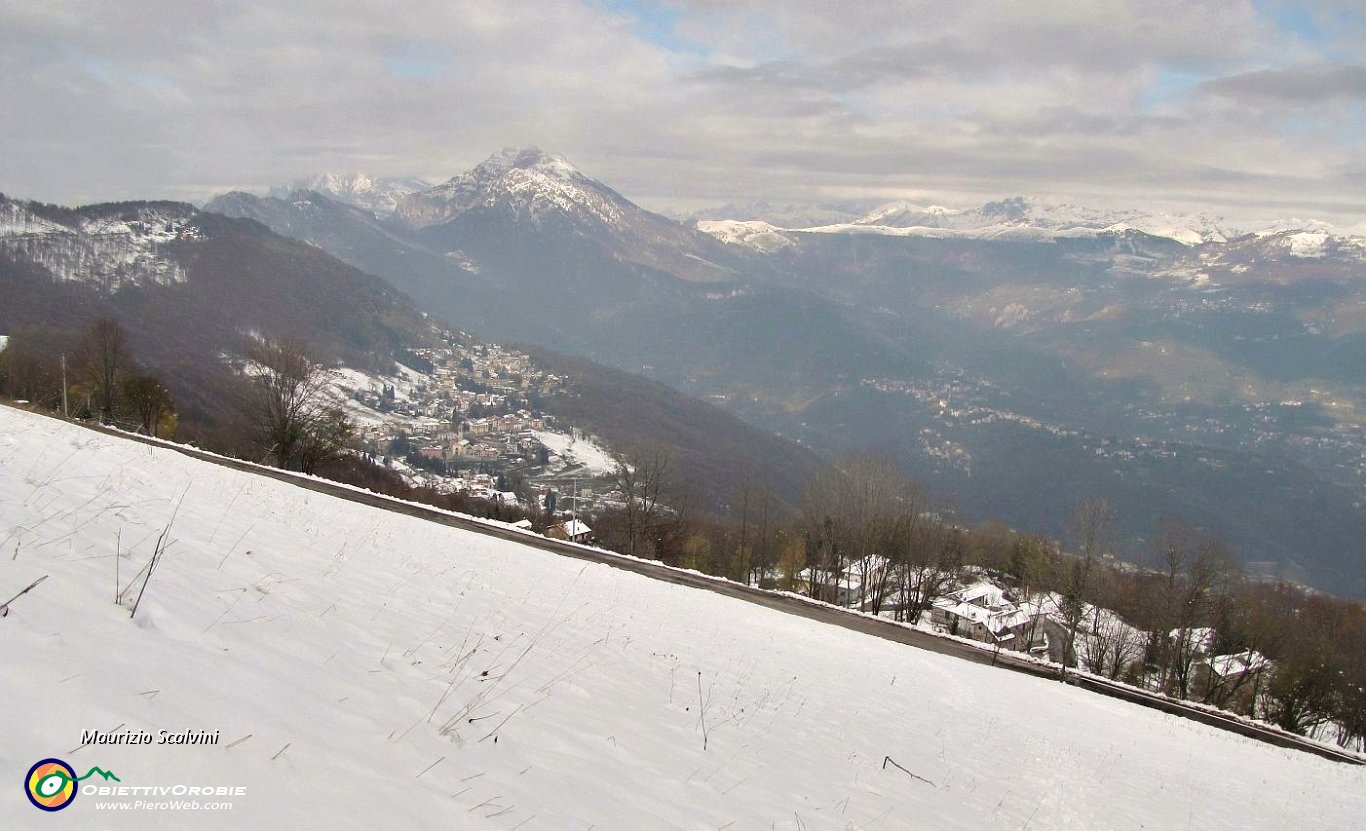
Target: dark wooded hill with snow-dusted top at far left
[193, 288]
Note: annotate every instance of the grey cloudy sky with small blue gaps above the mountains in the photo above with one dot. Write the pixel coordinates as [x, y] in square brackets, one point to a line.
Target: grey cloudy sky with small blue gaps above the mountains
[1245, 107]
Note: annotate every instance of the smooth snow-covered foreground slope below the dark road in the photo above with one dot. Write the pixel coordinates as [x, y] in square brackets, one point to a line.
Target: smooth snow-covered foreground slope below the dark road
[393, 673]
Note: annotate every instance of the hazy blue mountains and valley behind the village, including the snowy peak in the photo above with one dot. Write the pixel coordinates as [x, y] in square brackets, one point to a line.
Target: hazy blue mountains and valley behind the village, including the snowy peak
[1018, 356]
